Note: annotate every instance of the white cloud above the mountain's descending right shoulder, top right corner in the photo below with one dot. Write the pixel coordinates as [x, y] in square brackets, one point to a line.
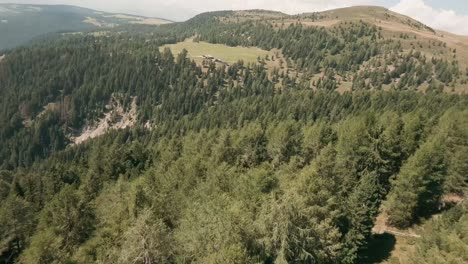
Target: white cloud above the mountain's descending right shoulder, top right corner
[442, 19]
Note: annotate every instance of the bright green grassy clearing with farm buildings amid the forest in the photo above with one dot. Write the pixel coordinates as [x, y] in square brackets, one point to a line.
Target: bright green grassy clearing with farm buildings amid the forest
[219, 51]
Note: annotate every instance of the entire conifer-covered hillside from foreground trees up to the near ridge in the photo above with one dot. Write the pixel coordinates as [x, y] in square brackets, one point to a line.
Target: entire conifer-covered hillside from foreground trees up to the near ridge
[290, 159]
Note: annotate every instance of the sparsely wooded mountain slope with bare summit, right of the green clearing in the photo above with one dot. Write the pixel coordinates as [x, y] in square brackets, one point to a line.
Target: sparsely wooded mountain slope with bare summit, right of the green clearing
[348, 49]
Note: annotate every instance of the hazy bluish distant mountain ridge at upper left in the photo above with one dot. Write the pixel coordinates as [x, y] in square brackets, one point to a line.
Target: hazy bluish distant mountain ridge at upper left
[21, 23]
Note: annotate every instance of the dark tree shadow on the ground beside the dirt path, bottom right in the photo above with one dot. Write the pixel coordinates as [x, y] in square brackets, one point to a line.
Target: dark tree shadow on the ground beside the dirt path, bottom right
[380, 248]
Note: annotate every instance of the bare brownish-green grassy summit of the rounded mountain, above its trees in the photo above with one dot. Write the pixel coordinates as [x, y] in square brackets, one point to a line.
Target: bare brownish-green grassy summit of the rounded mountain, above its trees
[392, 24]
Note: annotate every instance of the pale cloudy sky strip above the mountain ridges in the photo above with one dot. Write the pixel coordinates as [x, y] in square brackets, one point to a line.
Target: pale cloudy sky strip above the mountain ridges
[449, 15]
